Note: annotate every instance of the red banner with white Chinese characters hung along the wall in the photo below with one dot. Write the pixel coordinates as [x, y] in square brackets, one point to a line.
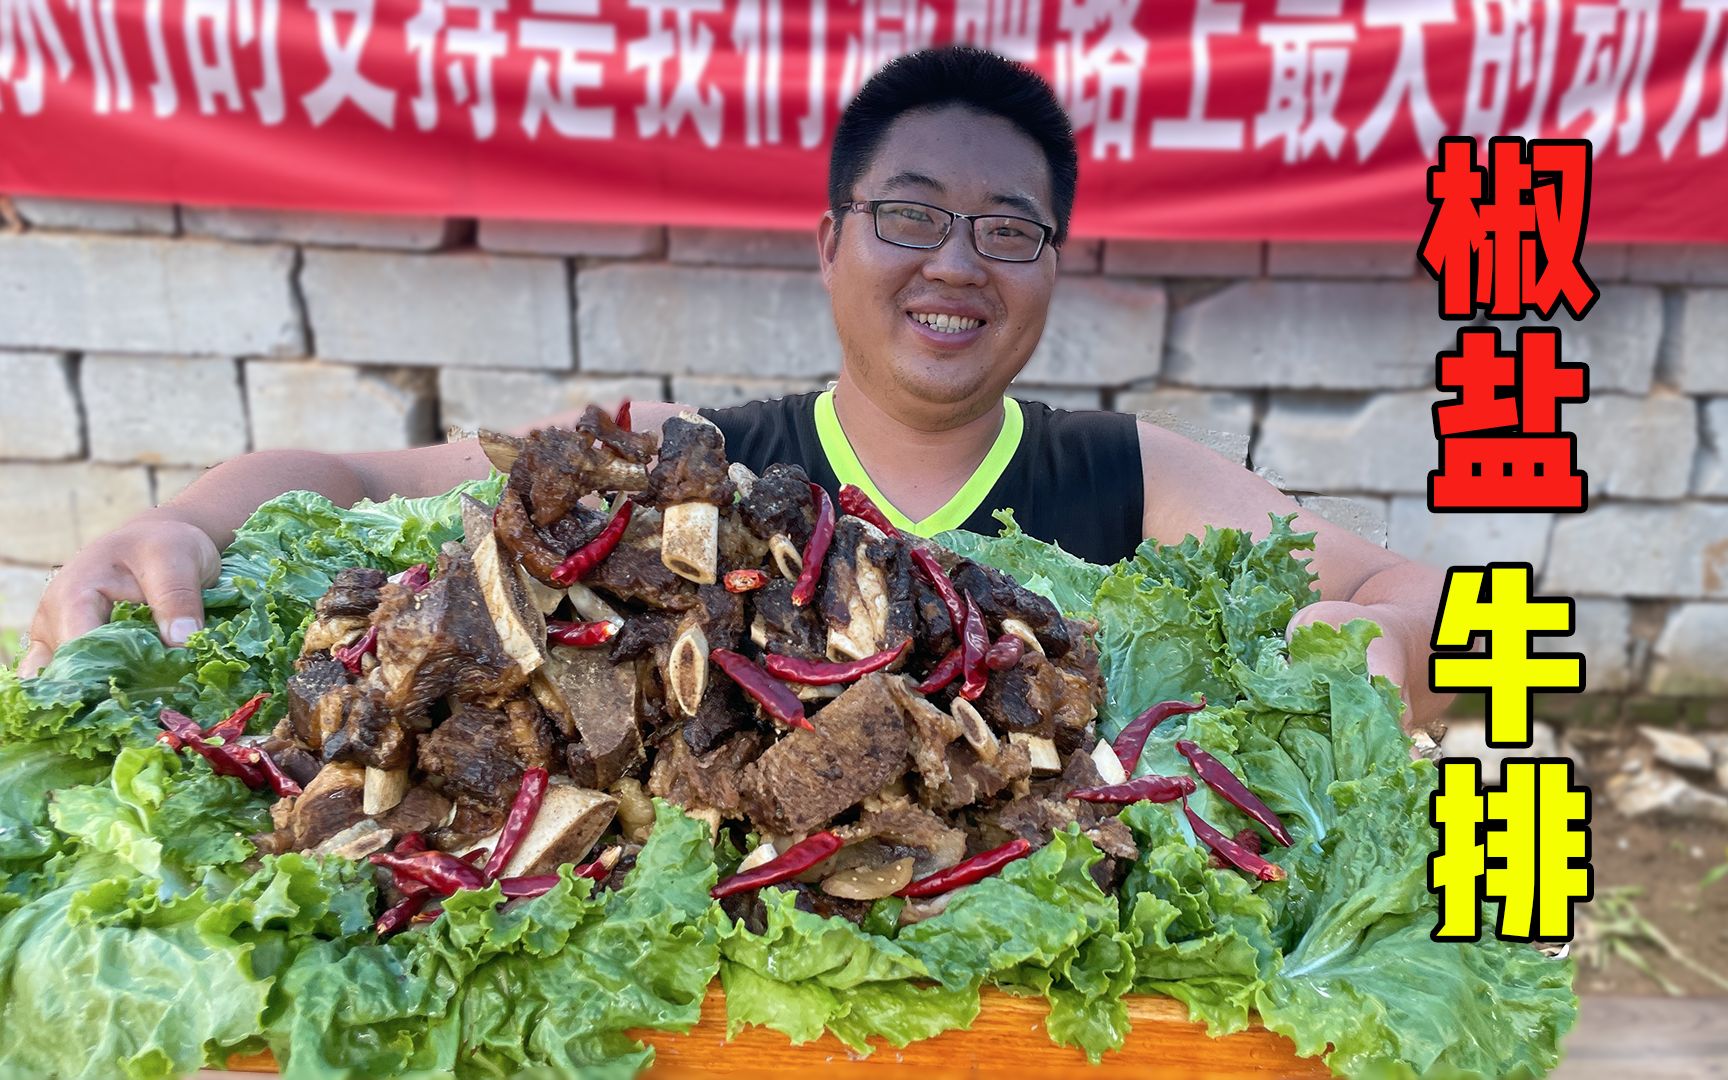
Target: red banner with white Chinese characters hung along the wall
[1297, 120]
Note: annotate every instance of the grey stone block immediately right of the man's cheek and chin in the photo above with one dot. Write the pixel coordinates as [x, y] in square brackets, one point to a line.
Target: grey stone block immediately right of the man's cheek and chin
[1100, 333]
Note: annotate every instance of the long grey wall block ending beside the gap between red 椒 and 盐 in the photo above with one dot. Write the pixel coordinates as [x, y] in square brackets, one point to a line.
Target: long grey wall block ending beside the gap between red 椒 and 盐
[1309, 336]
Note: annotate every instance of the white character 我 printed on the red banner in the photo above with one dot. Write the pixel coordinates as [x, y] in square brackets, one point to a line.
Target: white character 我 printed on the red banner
[690, 44]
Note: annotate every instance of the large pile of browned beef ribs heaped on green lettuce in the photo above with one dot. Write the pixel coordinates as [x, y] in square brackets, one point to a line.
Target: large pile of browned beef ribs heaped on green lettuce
[419, 702]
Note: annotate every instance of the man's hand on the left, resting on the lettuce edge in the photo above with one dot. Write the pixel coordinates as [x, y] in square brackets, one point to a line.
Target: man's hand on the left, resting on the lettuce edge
[156, 559]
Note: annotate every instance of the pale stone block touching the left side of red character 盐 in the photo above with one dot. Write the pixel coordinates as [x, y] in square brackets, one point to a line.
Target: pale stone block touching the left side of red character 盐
[1331, 443]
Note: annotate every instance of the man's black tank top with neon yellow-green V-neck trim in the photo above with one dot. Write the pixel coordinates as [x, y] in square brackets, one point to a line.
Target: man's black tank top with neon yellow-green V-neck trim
[1070, 478]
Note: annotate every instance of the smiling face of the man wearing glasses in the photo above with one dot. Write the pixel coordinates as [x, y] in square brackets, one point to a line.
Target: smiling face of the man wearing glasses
[975, 165]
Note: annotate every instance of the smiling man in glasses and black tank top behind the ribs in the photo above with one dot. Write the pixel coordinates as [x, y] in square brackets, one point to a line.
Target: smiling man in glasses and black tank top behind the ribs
[951, 186]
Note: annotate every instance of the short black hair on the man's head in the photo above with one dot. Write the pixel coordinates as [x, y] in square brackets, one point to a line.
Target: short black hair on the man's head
[956, 75]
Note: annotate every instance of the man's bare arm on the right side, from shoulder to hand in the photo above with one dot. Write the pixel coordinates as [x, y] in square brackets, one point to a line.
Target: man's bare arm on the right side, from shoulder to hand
[1190, 488]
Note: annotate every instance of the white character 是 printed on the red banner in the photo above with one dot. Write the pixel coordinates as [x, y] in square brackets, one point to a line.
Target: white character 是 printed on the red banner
[569, 30]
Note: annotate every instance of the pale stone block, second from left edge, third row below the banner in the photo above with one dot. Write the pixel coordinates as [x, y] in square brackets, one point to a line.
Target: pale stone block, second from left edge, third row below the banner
[163, 410]
